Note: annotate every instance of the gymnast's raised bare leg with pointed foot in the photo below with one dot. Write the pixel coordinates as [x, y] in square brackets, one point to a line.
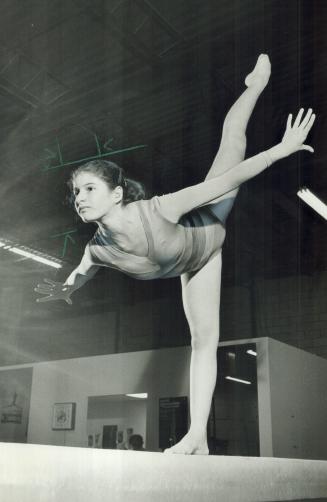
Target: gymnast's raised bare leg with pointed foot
[233, 142]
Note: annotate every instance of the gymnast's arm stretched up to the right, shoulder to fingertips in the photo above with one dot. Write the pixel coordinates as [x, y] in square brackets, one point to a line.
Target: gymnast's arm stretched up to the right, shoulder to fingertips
[174, 205]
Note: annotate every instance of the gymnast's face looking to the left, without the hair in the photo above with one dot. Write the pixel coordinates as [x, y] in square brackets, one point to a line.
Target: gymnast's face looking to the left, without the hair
[94, 199]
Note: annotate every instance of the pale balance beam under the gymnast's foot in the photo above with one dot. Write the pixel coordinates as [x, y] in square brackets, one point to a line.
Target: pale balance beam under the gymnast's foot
[39, 473]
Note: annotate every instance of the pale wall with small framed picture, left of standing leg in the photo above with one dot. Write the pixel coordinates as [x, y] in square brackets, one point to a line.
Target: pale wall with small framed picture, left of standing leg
[160, 373]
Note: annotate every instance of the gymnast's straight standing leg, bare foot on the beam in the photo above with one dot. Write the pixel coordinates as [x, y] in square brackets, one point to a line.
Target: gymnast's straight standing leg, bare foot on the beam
[201, 299]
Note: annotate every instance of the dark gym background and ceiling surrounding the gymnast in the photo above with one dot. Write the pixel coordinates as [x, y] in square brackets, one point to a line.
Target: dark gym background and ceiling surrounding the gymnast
[159, 76]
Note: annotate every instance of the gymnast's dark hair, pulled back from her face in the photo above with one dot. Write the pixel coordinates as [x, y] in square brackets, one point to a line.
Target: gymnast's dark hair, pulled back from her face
[114, 176]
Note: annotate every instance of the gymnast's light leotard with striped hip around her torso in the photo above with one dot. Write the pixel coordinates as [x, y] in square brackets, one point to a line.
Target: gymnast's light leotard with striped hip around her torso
[173, 248]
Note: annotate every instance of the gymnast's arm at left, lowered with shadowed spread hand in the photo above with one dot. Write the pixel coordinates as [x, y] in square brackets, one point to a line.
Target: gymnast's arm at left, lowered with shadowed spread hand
[79, 276]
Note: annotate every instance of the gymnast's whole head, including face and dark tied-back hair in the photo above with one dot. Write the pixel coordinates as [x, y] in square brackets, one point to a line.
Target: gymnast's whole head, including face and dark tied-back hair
[100, 186]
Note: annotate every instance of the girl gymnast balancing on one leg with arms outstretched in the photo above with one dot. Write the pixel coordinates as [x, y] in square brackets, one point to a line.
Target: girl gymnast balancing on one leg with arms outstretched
[177, 234]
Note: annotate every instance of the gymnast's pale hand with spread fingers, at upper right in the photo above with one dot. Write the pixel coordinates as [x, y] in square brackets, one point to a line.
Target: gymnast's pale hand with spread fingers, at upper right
[296, 134]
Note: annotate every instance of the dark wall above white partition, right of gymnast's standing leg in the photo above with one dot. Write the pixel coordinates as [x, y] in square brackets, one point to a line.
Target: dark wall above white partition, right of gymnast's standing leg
[291, 310]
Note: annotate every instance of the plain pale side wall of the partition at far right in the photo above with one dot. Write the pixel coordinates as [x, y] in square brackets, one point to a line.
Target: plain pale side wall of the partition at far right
[298, 386]
